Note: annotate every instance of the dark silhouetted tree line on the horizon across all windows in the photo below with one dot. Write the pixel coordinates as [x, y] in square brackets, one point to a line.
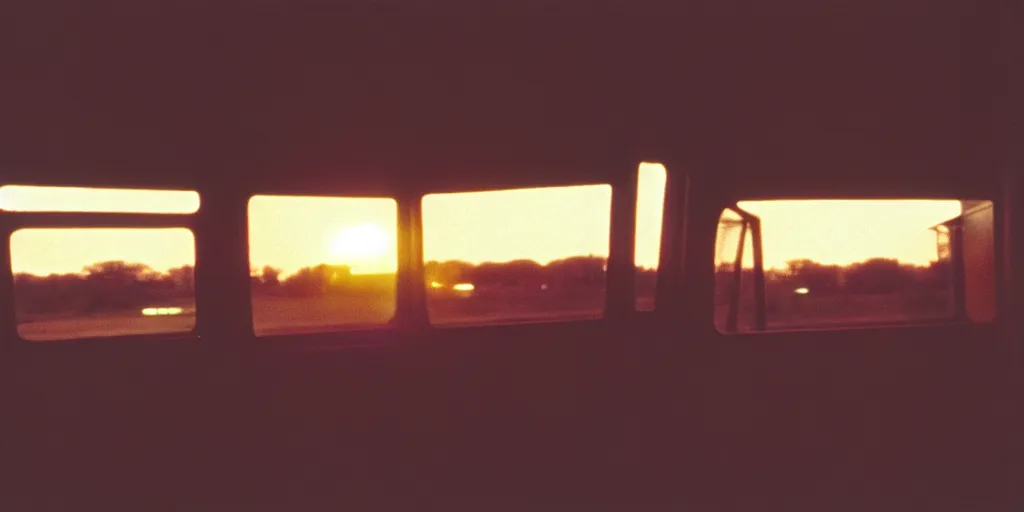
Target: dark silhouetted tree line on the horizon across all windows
[121, 286]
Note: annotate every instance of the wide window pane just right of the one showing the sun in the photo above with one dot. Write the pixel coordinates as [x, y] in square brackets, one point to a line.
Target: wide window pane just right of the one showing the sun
[522, 255]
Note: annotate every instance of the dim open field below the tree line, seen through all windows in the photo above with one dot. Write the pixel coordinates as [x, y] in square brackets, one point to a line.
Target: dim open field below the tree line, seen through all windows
[275, 316]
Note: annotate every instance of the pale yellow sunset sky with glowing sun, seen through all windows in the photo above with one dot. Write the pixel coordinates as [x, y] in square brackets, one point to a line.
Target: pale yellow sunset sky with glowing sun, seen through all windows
[540, 225]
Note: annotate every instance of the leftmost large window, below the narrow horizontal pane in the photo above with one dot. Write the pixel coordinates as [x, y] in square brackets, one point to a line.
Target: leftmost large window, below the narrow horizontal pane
[90, 283]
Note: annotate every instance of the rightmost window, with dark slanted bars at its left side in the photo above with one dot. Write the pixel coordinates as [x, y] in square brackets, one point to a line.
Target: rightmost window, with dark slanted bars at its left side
[835, 264]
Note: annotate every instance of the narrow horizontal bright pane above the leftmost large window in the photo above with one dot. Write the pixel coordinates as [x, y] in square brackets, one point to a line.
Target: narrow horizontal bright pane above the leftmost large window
[72, 199]
